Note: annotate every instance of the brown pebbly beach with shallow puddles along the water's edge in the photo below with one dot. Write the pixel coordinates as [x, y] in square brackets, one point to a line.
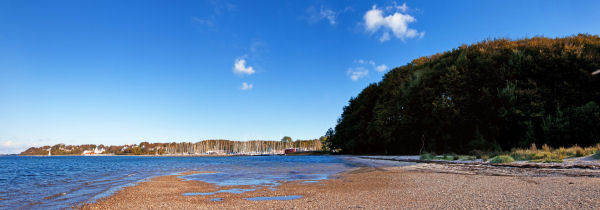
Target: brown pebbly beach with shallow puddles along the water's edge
[409, 187]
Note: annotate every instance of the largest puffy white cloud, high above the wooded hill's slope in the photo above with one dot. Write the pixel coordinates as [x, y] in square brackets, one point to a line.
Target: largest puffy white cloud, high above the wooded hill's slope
[396, 23]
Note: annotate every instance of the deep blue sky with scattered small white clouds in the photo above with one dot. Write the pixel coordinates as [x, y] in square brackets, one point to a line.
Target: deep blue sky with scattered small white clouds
[121, 72]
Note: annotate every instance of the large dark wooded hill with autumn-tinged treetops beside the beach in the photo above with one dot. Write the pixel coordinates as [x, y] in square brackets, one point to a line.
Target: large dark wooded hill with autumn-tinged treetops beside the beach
[489, 96]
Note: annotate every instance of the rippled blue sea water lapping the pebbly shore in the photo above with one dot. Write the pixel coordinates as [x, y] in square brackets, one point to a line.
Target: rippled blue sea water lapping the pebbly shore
[58, 182]
